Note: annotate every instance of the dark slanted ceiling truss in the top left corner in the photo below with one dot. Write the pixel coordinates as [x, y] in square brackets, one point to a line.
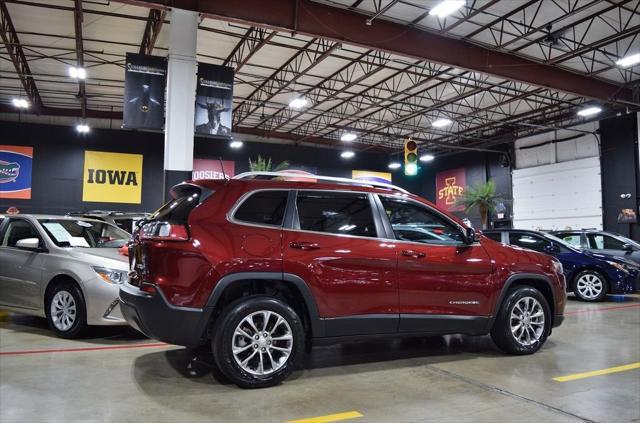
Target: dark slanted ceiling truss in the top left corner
[14, 48]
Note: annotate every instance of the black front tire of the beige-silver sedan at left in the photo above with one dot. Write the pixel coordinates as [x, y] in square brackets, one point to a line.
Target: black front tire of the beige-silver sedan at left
[80, 320]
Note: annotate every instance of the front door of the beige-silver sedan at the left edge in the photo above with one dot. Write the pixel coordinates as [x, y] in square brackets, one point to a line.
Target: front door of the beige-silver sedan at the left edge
[20, 269]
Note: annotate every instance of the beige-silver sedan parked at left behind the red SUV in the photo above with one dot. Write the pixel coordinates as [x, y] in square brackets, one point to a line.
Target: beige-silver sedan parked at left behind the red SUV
[62, 268]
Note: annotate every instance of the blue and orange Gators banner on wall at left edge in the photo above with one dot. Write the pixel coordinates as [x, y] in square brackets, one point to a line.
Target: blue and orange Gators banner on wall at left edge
[16, 163]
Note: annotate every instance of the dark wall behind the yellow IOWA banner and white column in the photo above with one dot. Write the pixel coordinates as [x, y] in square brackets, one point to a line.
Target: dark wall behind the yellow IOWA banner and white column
[59, 158]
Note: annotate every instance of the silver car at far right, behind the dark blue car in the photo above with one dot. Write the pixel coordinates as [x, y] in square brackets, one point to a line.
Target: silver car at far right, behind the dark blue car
[605, 243]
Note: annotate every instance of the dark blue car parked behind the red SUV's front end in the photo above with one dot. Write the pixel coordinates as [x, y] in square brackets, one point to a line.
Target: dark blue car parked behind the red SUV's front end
[590, 276]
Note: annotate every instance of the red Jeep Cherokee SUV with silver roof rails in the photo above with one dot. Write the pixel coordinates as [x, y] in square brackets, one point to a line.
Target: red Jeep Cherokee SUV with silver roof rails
[261, 267]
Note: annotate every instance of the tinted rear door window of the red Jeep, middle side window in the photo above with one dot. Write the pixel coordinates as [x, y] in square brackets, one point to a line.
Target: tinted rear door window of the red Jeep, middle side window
[336, 213]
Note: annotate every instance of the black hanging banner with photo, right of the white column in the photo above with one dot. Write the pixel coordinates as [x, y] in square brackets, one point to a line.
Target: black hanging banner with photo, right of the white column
[214, 100]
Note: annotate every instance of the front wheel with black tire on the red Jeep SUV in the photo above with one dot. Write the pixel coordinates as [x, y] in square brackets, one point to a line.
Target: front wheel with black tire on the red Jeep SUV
[523, 322]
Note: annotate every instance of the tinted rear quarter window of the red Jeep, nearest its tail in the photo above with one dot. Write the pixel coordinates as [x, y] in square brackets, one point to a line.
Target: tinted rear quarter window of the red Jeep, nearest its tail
[264, 208]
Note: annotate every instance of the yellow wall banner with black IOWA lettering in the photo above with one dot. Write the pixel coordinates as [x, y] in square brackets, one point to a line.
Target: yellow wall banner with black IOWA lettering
[112, 177]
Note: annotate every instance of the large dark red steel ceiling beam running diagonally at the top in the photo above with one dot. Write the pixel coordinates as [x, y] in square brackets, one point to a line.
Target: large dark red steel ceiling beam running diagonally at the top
[320, 20]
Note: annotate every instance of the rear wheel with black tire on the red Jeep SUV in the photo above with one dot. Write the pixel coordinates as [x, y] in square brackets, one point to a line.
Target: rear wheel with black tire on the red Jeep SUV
[223, 341]
